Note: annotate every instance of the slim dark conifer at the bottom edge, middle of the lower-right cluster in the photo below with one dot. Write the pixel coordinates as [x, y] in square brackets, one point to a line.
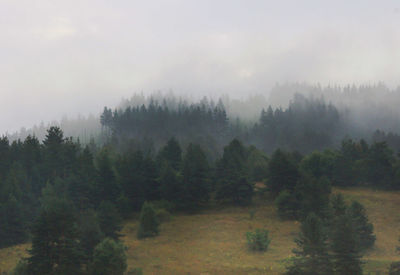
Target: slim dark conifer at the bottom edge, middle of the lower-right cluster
[346, 257]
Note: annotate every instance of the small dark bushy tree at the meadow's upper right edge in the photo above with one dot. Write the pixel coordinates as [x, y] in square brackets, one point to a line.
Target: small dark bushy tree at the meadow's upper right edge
[288, 205]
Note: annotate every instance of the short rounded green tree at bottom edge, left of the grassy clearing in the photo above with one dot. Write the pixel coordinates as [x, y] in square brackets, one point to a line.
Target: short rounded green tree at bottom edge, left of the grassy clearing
[109, 258]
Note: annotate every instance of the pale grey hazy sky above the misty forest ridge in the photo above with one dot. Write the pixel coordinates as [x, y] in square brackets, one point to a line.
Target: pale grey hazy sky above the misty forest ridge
[68, 57]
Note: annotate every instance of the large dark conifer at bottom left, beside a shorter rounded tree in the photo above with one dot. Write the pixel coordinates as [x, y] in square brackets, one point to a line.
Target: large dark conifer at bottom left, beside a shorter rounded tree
[55, 240]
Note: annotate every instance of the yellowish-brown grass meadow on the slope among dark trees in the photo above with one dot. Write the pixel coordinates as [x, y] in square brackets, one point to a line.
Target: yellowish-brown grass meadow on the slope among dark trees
[214, 242]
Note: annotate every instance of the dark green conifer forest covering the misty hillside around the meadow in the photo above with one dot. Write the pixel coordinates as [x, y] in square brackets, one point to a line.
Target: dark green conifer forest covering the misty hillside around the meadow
[150, 160]
